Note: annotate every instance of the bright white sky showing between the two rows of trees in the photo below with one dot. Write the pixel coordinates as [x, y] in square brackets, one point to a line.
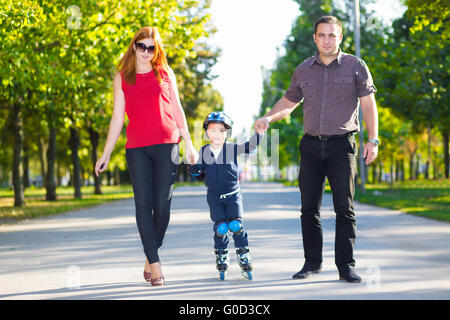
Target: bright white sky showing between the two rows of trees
[249, 33]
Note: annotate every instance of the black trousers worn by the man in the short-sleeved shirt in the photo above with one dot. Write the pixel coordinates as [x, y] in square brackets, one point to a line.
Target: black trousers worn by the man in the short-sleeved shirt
[335, 159]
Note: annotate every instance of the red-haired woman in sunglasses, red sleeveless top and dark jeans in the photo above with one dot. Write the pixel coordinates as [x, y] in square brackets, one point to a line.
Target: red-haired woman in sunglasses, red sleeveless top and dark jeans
[145, 88]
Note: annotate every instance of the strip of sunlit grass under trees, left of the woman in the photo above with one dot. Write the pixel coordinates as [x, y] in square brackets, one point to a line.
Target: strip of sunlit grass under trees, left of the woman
[37, 206]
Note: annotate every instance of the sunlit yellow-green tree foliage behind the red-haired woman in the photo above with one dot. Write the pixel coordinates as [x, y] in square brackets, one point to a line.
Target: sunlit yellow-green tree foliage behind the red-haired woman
[58, 62]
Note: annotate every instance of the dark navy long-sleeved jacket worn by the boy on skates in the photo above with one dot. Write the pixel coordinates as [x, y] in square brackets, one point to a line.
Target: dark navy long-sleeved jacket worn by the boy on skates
[222, 175]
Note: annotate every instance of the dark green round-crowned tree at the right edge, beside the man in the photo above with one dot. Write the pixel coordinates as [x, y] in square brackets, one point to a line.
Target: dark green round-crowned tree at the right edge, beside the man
[413, 78]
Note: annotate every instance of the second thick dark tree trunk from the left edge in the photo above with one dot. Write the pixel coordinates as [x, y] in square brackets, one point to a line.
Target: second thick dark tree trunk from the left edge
[50, 183]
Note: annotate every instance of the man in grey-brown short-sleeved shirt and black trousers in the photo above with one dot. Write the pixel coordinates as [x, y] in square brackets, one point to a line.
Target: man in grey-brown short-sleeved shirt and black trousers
[331, 82]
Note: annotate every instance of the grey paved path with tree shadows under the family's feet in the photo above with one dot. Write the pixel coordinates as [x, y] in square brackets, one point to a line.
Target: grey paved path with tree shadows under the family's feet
[96, 253]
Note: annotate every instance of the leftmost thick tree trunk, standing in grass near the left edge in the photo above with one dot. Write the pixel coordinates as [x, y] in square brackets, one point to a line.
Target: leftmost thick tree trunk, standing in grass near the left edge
[19, 199]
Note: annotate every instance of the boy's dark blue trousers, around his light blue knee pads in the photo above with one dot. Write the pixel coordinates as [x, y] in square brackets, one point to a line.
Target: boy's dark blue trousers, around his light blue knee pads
[226, 209]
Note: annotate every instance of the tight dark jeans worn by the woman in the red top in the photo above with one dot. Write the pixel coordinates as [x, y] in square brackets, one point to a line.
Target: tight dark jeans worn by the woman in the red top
[152, 172]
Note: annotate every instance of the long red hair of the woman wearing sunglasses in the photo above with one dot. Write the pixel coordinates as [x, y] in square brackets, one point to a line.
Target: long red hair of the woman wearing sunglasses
[127, 65]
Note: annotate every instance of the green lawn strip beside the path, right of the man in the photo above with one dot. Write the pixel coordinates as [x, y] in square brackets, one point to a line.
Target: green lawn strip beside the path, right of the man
[425, 198]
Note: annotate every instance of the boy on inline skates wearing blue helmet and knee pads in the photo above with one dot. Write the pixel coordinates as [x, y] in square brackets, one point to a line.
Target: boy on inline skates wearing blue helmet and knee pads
[218, 161]
